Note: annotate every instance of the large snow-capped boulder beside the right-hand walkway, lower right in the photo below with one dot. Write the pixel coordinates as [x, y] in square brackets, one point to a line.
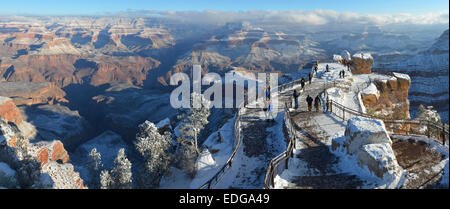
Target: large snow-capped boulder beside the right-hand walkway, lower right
[368, 141]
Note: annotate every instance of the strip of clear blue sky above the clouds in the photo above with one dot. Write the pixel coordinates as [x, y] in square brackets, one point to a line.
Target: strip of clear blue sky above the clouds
[99, 7]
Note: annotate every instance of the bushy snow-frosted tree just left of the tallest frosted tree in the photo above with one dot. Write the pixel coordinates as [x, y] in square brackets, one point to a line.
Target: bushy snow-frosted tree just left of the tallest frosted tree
[154, 147]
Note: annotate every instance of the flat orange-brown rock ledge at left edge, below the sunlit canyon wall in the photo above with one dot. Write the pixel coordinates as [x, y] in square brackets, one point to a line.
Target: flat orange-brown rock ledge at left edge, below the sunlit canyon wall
[31, 93]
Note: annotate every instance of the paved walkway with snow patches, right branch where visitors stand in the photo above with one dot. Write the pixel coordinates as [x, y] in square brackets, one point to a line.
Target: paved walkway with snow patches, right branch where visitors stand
[314, 166]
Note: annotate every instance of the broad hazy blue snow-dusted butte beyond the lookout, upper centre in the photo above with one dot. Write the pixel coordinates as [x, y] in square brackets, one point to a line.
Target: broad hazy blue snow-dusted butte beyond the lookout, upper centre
[250, 48]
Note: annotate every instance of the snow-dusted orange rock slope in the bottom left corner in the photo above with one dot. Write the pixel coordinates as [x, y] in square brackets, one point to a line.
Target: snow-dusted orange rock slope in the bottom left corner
[55, 171]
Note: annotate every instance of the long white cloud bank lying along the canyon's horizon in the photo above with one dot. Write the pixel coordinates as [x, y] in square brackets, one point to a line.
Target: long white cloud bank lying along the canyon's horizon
[314, 17]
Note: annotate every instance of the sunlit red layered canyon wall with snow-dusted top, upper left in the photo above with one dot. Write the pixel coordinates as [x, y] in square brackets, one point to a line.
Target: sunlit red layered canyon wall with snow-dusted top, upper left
[76, 51]
